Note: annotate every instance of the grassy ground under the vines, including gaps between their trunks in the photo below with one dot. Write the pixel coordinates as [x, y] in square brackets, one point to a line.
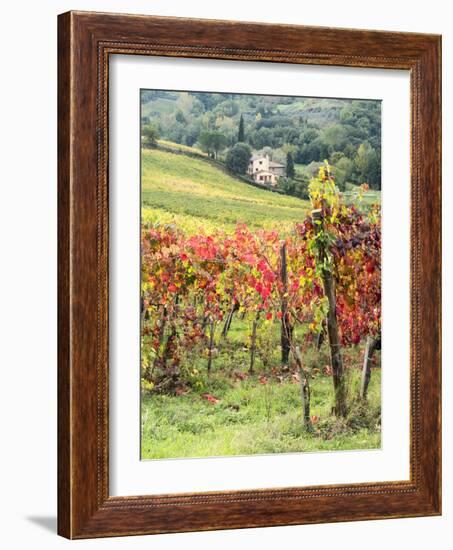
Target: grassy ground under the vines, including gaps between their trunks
[252, 417]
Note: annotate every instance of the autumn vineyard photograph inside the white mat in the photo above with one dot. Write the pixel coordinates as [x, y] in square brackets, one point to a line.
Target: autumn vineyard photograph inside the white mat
[260, 274]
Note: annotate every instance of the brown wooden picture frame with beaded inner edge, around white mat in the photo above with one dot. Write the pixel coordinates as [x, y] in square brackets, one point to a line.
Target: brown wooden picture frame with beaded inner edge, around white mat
[85, 41]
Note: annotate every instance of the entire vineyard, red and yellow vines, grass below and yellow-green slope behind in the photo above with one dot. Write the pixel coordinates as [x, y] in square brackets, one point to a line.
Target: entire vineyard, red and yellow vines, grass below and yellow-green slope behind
[258, 338]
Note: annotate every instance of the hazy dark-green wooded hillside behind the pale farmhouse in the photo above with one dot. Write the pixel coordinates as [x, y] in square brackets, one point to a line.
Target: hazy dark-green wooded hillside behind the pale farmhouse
[298, 132]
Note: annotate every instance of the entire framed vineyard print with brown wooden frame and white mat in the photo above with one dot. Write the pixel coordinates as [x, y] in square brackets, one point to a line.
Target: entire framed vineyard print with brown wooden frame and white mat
[249, 275]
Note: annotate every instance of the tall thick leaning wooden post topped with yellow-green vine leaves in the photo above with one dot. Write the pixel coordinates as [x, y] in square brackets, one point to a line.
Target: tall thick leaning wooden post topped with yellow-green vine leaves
[332, 324]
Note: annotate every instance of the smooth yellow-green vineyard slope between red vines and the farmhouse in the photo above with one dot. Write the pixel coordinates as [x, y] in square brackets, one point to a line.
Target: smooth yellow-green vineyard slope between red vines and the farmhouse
[195, 193]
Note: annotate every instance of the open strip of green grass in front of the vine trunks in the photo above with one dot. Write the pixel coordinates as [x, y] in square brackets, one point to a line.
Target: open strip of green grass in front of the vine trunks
[252, 418]
